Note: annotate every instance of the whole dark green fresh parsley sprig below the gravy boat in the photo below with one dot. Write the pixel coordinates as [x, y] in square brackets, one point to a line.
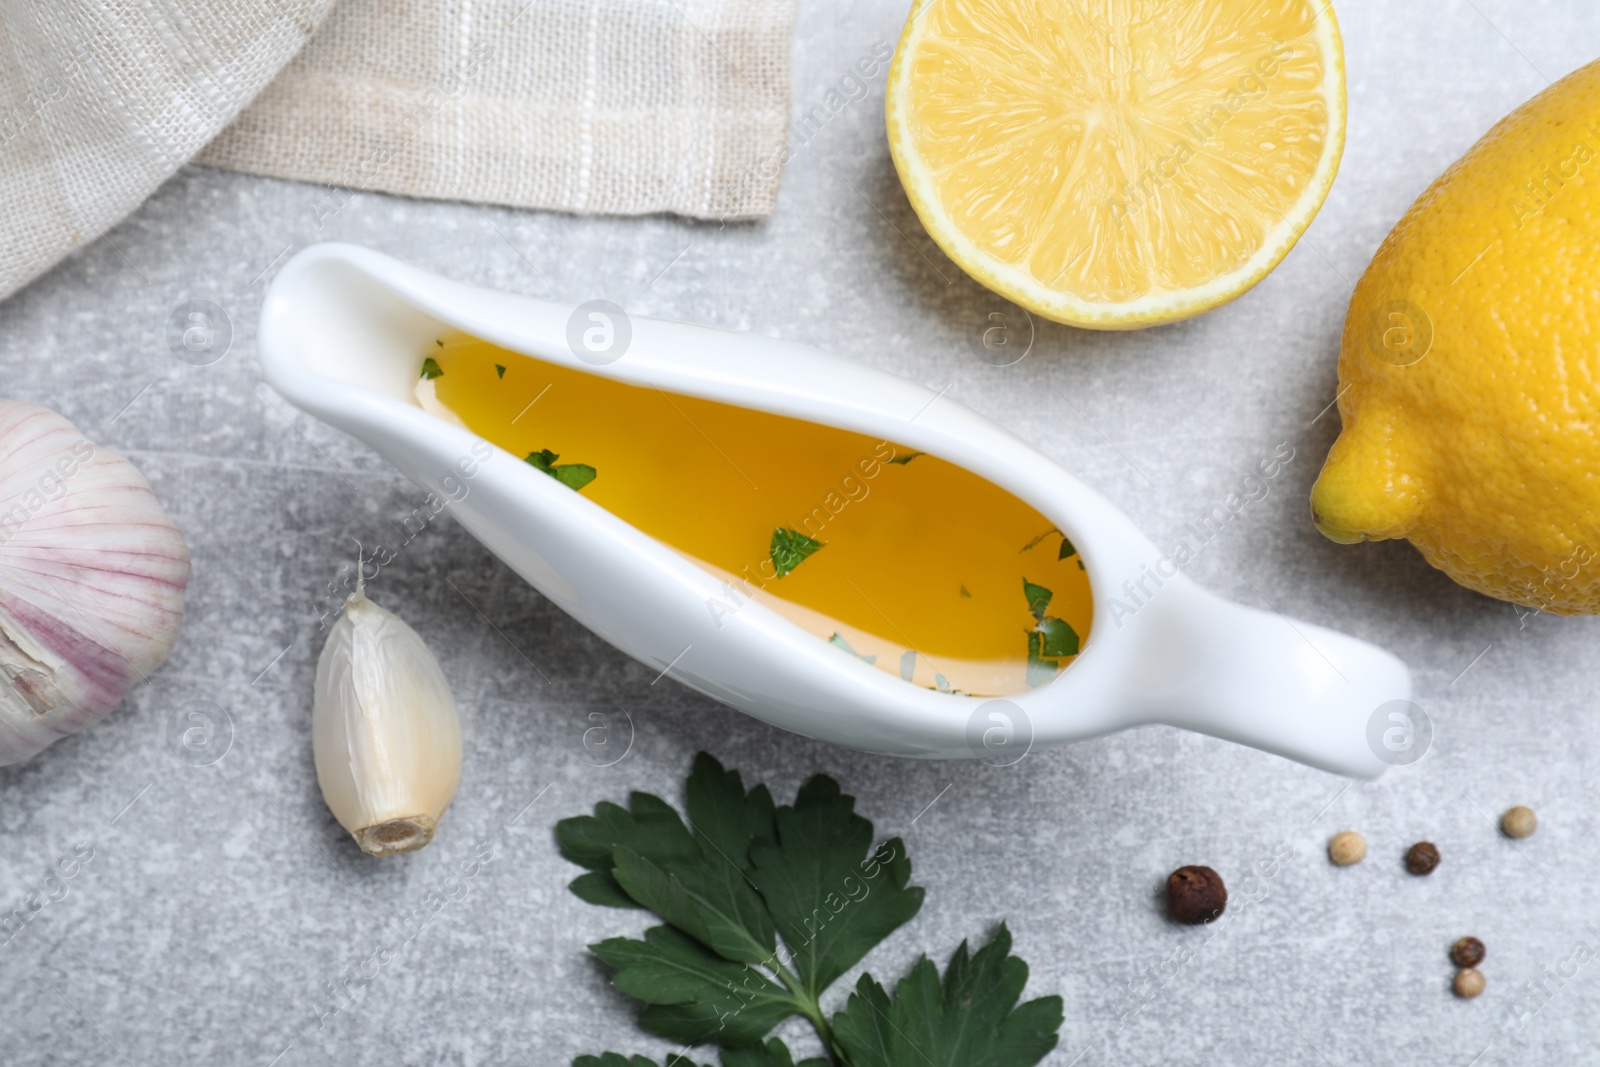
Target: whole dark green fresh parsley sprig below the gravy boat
[764, 909]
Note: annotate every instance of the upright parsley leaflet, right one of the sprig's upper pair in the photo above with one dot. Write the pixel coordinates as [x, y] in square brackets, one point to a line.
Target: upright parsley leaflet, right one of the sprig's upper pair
[833, 897]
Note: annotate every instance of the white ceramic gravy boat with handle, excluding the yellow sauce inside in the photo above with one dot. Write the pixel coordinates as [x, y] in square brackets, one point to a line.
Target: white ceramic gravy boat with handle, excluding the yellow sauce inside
[342, 337]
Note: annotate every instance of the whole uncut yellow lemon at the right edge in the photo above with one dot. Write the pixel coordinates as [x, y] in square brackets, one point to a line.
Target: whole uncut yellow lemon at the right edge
[1470, 372]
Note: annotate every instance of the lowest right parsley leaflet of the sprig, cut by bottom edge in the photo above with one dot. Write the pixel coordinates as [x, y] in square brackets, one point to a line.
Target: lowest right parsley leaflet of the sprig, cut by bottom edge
[966, 1020]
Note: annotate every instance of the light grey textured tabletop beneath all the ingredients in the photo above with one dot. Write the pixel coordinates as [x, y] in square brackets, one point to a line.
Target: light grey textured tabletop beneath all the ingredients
[222, 901]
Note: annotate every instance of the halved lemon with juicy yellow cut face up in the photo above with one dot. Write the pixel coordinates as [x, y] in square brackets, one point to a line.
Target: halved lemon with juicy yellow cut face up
[1118, 164]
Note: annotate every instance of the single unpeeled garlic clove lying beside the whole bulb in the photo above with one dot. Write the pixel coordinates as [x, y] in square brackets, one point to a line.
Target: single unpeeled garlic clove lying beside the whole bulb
[385, 732]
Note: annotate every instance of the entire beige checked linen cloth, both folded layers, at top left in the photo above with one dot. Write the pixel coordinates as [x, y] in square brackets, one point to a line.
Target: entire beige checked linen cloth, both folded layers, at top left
[596, 106]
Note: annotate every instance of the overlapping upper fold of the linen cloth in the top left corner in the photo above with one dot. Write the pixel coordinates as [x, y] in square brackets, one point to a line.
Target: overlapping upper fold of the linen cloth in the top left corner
[102, 102]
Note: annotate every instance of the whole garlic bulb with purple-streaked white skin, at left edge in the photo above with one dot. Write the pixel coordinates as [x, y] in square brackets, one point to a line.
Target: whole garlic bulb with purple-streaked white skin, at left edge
[92, 580]
